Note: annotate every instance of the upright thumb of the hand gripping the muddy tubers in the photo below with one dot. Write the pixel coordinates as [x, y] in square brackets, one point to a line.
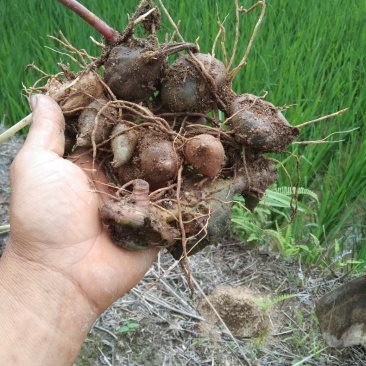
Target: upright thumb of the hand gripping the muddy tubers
[47, 128]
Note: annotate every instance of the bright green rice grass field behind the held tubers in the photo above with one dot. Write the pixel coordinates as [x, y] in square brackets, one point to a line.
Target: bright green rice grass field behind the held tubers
[309, 53]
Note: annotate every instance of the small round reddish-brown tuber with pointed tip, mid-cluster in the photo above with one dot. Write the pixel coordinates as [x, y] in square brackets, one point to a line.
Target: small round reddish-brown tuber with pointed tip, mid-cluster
[206, 154]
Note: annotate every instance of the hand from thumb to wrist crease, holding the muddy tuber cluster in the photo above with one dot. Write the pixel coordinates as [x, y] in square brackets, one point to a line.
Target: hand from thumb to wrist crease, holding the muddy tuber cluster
[55, 214]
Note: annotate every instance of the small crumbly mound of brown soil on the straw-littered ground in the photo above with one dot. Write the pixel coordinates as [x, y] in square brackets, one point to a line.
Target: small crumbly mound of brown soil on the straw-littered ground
[236, 307]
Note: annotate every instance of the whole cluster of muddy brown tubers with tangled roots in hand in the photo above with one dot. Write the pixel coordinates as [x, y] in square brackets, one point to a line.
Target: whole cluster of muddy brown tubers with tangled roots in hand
[175, 141]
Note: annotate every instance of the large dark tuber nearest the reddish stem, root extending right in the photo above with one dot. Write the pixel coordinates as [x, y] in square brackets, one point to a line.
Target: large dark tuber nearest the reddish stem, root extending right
[133, 70]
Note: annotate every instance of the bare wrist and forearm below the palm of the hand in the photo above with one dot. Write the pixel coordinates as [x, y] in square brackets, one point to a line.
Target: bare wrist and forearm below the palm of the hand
[42, 312]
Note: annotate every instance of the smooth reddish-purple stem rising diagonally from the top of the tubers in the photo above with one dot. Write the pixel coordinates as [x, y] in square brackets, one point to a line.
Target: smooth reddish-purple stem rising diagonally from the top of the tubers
[103, 28]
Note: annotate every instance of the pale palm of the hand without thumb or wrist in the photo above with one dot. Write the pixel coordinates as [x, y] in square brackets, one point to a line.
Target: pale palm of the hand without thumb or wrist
[60, 219]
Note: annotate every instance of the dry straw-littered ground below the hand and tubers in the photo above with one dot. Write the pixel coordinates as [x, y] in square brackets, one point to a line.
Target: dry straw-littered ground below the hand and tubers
[265, 302]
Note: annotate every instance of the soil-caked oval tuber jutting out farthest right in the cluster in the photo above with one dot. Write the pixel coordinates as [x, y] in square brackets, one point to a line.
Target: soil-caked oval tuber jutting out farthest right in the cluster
[260, 124]
